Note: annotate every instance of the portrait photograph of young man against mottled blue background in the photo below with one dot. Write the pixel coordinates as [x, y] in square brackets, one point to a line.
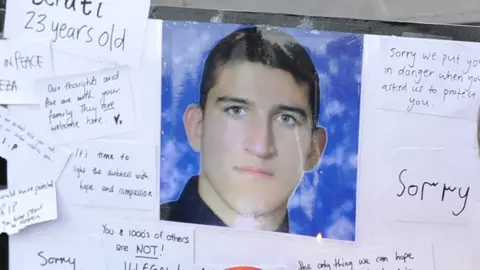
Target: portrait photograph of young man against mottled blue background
[259, 128]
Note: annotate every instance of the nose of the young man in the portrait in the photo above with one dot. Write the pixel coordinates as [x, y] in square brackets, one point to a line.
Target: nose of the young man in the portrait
[260, 140]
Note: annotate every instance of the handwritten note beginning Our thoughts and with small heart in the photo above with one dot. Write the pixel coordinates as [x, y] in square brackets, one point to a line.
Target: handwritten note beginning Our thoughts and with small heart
[87, 106]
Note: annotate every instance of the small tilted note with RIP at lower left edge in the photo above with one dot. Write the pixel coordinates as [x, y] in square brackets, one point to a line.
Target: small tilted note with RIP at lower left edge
[27, 205]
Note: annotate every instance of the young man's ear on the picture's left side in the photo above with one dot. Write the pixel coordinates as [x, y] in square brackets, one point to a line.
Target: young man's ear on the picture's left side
[193, 121]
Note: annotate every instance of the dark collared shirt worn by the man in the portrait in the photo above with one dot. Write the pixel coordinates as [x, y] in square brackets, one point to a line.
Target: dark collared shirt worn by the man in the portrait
[190, 208]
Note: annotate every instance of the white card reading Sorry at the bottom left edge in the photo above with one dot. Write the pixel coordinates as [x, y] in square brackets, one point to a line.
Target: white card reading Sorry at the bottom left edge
[63, 252]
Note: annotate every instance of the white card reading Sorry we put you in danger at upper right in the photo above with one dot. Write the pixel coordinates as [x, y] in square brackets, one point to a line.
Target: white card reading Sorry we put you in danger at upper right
[426, 76]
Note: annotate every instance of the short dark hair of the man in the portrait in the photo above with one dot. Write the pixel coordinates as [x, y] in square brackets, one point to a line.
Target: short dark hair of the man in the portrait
[270, 47]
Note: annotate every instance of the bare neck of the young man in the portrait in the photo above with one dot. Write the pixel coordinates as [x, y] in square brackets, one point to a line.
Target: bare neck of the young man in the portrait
[266, 222]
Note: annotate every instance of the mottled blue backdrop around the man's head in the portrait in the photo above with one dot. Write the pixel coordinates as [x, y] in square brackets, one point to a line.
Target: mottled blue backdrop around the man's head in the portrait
[325, 199]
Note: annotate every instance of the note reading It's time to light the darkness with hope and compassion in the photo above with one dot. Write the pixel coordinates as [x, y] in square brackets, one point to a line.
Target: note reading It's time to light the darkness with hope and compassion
[109, 174]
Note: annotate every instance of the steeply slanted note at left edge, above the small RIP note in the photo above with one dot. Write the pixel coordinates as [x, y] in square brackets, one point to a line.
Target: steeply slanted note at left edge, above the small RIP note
[23, 149]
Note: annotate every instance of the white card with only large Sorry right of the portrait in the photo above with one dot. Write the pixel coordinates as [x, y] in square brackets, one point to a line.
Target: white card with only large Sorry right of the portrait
[423, 188]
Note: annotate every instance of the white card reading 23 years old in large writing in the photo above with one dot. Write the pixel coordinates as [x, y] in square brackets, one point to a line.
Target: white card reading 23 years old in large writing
[108, 31]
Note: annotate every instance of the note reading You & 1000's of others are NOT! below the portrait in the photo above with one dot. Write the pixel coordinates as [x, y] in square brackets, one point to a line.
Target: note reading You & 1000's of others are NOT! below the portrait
[146, 246]
